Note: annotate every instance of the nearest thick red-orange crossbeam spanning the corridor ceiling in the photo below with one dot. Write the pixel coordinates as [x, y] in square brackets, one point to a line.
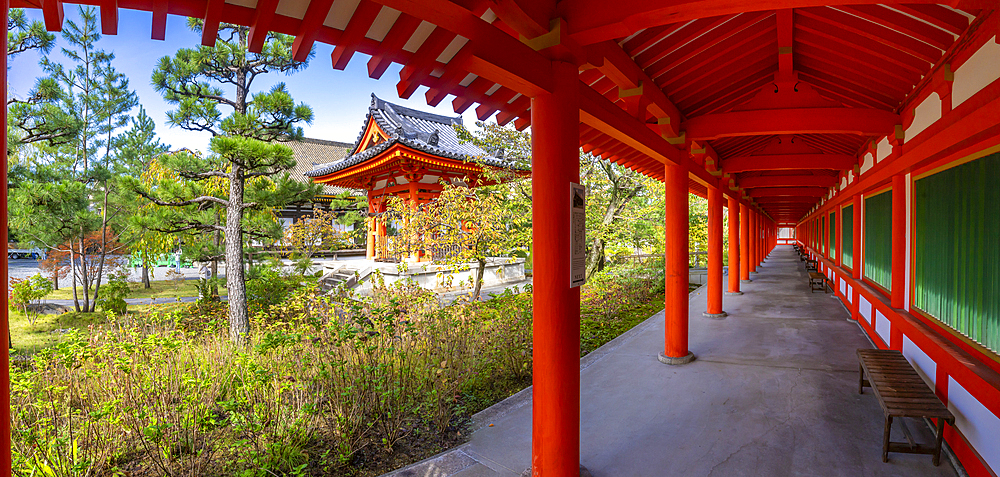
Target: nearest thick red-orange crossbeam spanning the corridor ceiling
[863, 122]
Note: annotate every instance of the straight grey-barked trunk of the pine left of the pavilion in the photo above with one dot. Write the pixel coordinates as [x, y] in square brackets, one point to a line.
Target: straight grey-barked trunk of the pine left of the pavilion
[239, 320]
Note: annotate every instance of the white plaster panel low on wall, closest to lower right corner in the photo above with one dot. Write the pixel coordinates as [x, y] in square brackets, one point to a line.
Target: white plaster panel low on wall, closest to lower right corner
[979, 426]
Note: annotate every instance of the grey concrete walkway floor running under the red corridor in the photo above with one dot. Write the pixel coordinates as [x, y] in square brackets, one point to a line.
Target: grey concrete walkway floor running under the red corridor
[773, 392]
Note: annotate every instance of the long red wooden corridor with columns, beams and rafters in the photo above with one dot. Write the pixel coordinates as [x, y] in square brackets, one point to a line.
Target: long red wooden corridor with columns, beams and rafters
[786, 110]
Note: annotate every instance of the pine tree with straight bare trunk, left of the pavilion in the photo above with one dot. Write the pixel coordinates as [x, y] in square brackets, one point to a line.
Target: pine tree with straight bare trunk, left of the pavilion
[244, 154]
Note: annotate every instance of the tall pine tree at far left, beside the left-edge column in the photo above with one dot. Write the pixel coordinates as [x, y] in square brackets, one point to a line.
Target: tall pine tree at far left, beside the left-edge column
[75, 193]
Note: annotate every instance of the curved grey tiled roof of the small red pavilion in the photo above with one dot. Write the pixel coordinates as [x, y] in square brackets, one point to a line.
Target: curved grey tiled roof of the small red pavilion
[431, 133]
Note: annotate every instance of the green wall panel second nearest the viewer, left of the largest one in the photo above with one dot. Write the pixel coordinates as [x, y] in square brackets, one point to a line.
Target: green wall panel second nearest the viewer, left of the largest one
[878, 239]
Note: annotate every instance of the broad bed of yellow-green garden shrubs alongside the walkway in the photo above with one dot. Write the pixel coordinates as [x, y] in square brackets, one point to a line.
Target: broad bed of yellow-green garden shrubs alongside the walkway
[330, 385]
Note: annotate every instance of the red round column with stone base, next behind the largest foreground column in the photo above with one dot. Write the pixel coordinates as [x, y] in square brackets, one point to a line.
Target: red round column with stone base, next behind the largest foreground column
[675, 310]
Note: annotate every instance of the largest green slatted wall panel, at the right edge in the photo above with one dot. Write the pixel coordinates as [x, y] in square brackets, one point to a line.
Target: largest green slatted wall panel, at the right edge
[957, 273]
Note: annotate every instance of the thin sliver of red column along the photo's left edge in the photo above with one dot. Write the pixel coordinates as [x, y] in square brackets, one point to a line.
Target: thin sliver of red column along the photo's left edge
[5, 460]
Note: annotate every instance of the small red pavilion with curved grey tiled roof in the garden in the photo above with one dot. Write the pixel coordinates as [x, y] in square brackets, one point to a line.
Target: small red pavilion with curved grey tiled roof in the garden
[402, 152]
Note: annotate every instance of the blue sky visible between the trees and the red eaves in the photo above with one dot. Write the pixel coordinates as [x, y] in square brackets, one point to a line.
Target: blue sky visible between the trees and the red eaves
[339, 98]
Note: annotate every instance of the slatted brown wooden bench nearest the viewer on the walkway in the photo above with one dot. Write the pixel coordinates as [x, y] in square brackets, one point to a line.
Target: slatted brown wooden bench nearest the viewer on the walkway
[902, 393]
